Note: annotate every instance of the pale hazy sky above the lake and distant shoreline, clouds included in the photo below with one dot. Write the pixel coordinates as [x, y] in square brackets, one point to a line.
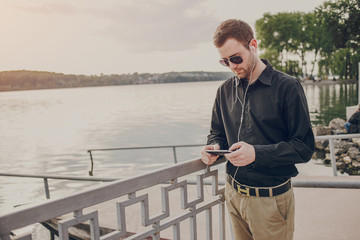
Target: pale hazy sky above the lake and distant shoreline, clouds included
[95, 37]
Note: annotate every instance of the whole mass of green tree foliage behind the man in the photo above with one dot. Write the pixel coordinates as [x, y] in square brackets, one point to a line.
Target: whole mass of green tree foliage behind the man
[330, 35]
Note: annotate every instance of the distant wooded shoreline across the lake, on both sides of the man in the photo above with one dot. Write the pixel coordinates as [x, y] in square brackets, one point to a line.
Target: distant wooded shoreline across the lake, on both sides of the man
[23, 80]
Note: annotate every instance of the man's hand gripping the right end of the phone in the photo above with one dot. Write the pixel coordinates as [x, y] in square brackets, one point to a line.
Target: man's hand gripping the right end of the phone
[243, 154]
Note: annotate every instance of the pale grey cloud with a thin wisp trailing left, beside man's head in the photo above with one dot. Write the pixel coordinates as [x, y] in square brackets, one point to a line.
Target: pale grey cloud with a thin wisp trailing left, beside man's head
[140, 25]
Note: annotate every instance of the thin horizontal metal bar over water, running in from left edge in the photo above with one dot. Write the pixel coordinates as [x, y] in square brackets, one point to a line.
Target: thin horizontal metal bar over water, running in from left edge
[60, 177]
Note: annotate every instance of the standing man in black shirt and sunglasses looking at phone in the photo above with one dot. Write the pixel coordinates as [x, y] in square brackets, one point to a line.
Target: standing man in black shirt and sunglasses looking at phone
[262, 116]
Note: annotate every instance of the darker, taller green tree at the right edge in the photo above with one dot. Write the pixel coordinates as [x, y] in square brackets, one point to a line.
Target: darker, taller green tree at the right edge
[341, 19]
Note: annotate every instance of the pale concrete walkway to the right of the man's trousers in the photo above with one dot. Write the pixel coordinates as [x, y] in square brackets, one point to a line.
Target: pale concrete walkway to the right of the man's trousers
[327, 213]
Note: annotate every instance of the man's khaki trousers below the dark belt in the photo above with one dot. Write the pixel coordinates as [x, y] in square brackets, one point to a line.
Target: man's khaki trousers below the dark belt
[261, 218]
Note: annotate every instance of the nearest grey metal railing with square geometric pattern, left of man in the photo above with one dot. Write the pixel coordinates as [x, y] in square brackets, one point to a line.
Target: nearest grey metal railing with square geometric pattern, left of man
[153, 226]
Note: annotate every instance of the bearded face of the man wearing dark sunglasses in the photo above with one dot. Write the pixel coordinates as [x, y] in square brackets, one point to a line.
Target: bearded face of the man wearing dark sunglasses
[234, 48]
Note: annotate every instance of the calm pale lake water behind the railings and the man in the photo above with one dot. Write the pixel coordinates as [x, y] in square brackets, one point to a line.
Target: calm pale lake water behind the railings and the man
[50, 131]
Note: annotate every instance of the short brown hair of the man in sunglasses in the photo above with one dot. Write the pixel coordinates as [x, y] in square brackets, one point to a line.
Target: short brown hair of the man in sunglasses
[233, 28]
